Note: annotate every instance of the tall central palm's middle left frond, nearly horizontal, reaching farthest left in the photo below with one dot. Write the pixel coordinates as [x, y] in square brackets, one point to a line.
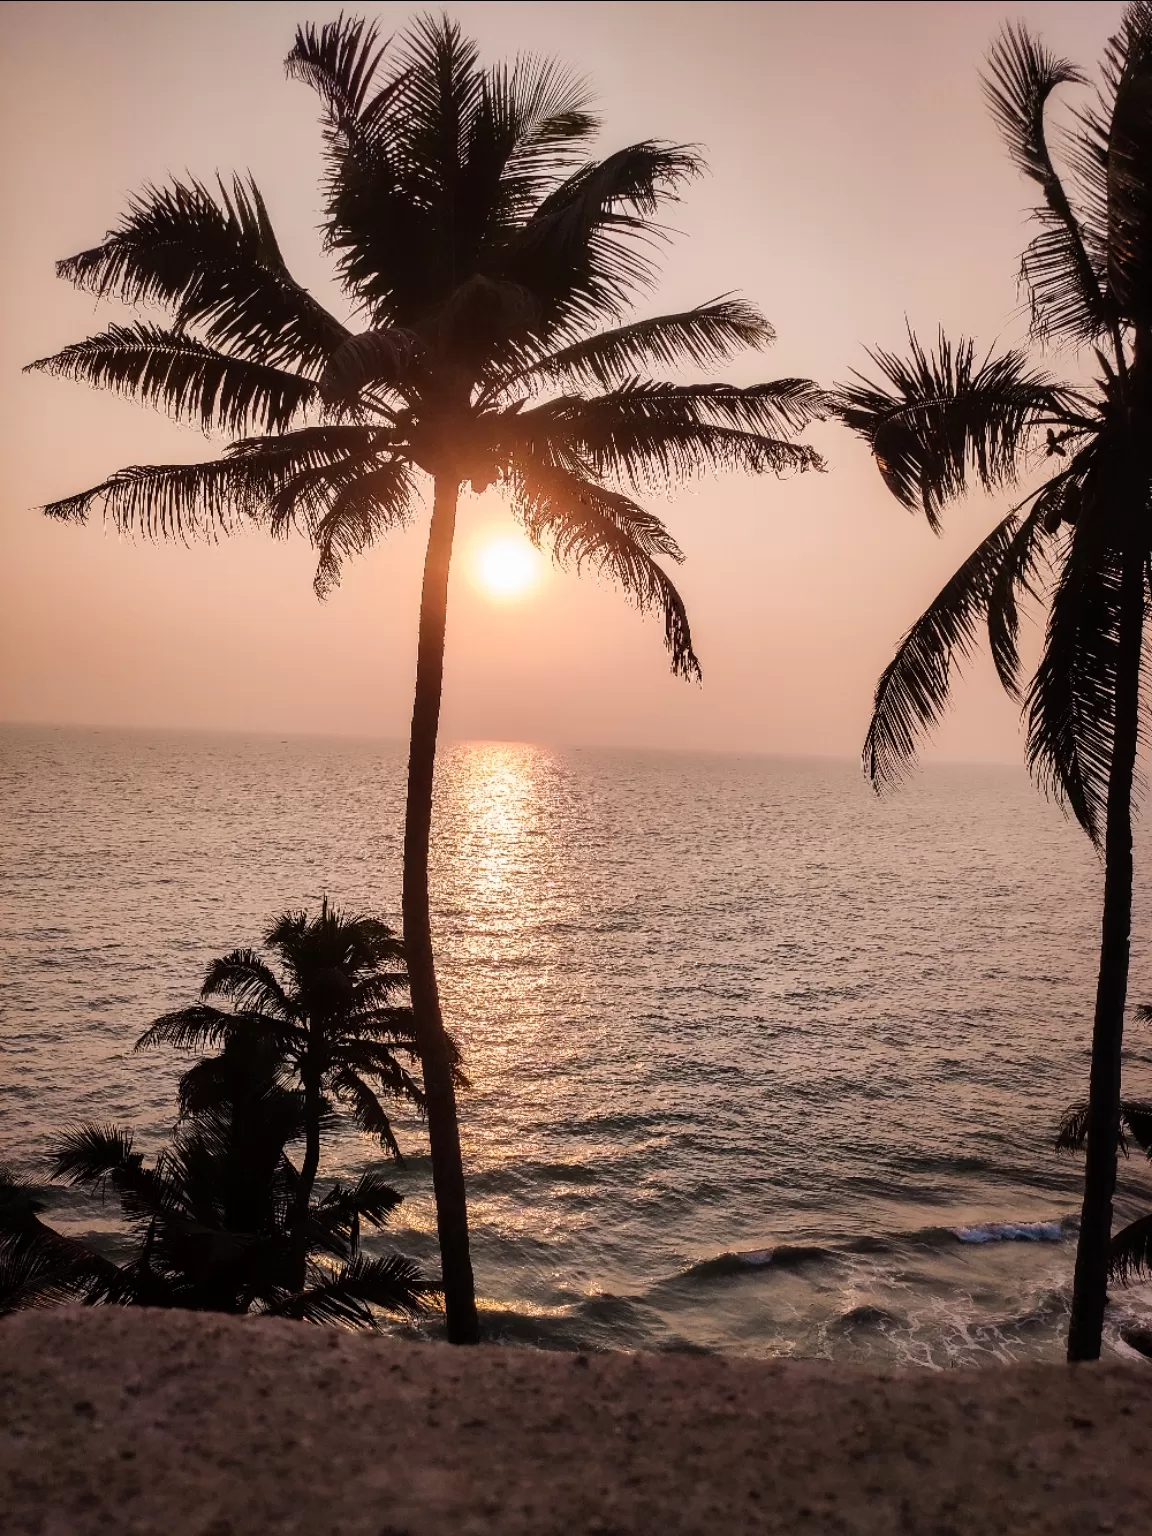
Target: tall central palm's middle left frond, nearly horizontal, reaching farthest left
[184, 377]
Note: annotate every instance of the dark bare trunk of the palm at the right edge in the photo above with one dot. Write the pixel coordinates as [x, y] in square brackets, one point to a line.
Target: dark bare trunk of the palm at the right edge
[1090, 1285]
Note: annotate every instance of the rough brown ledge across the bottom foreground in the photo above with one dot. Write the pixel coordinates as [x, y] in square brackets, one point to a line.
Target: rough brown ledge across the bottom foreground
[170, 1423]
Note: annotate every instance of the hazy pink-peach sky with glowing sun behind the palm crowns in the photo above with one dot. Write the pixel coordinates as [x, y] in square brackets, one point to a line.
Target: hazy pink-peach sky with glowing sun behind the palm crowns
[855, 182]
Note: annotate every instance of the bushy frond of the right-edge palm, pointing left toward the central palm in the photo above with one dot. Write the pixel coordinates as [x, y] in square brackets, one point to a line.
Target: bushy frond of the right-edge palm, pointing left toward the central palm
[938, 415]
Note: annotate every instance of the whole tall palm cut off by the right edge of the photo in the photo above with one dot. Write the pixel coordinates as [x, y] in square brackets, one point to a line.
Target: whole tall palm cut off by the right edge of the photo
[941, 419]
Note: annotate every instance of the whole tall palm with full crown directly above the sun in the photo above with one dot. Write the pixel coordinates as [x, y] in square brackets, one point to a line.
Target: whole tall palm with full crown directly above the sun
[492, 265]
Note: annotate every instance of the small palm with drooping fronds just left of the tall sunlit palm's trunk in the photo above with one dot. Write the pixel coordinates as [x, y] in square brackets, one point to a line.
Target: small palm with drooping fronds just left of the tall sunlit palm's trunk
[331, 1024]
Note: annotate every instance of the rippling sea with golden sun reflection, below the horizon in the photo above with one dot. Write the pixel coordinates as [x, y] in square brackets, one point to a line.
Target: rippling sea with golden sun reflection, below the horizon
[761, 1064]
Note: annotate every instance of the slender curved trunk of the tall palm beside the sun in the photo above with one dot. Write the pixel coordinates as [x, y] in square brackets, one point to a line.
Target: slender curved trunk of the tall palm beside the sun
[448, 1167]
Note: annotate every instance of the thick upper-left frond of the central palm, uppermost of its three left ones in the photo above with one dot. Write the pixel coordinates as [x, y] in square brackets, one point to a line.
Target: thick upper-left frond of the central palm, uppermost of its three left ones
[213, 262]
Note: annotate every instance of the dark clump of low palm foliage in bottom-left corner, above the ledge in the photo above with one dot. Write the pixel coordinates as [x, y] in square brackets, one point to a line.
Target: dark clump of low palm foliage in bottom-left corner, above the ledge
[216, 1217]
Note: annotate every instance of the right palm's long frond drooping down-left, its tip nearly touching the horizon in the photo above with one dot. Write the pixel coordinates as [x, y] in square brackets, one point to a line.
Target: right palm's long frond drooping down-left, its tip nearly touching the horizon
[913, 689]
